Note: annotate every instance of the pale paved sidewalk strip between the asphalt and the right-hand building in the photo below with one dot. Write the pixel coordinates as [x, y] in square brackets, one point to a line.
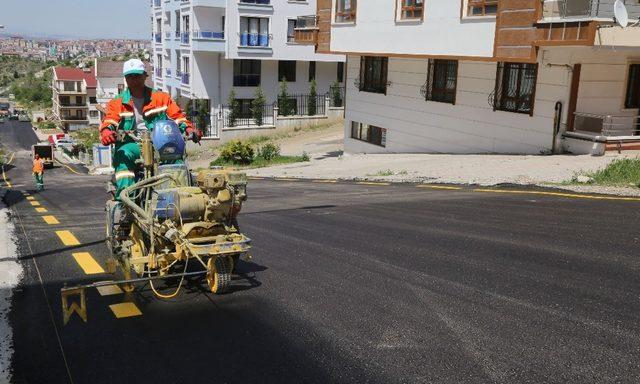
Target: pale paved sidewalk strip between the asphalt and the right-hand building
[456, 169]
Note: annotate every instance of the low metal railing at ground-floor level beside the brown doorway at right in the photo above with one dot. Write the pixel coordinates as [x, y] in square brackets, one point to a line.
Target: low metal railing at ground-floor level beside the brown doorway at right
[607, 124]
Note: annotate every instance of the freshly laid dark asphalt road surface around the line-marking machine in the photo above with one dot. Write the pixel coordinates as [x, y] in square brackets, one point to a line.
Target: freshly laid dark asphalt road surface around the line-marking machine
[348, 283]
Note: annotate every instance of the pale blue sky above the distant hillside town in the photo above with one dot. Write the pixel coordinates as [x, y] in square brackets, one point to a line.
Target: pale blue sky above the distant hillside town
[89, 19]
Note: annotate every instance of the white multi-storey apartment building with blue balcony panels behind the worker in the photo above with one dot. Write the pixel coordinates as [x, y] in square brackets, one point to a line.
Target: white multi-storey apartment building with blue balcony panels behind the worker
[203, 49]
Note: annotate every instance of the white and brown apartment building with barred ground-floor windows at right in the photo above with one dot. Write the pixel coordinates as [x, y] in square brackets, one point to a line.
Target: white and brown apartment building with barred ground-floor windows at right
[484, 76]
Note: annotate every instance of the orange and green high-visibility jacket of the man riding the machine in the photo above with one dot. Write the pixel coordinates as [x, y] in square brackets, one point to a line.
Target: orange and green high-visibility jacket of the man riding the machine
[158, 106]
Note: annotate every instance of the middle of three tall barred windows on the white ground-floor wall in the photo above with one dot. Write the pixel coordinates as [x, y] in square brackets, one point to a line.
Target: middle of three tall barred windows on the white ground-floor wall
[442, 79]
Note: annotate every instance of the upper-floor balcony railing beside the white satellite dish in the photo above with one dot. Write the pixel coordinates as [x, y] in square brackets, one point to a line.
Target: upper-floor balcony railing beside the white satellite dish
[585, 9]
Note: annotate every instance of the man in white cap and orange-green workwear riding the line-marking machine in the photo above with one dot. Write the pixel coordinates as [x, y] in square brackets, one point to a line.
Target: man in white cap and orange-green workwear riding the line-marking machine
[138, 107]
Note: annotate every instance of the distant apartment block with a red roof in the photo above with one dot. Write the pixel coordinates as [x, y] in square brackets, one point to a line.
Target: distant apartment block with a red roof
[74, 97]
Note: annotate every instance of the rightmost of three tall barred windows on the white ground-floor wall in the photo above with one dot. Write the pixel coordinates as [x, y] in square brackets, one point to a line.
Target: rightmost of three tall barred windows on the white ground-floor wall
[515, 87]
